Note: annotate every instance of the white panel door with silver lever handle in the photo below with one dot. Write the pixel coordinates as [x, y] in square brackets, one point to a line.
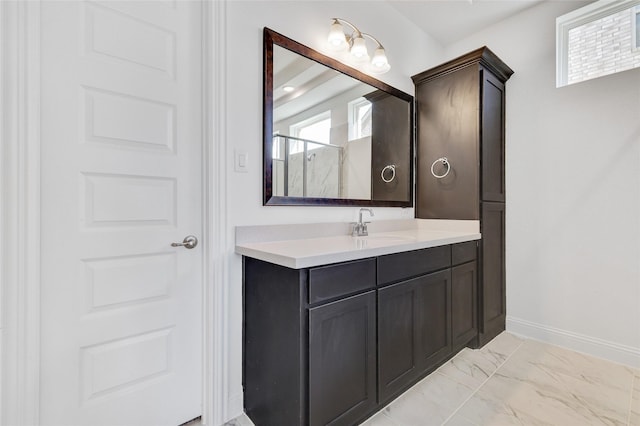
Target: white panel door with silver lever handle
[121, 180]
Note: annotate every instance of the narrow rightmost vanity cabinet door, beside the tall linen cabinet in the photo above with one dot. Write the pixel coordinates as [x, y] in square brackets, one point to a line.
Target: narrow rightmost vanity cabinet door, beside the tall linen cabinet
[464, 323]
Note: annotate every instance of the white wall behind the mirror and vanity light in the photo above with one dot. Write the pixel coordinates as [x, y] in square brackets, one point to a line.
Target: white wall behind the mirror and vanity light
[307, 22]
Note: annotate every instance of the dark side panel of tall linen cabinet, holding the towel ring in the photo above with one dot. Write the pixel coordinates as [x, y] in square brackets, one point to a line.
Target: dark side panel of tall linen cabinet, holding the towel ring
[447, 119]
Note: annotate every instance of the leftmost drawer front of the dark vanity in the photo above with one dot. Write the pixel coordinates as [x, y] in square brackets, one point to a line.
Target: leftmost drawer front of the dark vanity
[329, 282]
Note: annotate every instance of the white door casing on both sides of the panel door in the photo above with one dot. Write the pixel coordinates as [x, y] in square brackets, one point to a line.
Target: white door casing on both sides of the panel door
[20, 215]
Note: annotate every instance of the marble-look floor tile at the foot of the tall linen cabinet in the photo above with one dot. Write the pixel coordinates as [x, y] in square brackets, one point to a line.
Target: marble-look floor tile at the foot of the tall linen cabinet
[470, 367]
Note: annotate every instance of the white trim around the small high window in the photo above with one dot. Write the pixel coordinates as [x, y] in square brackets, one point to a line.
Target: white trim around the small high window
[576, 18]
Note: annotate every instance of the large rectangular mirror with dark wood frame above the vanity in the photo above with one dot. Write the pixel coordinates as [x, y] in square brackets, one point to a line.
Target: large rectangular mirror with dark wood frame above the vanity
[332, 135]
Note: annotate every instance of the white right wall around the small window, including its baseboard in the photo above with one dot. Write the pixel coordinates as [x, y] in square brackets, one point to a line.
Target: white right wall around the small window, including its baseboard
[573, 193]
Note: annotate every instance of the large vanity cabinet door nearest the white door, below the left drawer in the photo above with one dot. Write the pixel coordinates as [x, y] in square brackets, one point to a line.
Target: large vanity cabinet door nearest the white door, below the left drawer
[342, 360]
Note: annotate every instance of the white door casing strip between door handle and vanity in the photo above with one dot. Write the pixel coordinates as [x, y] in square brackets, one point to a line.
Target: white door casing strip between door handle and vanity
[214, 171]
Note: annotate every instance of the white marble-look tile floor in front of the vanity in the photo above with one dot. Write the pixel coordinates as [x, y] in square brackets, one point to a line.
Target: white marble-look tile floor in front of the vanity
[515, 381]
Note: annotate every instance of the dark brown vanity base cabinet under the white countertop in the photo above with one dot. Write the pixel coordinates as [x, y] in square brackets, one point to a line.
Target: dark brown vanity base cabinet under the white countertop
[333, 344]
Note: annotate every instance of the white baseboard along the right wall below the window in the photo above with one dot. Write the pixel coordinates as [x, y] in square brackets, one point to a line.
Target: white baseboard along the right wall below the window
[599, 348]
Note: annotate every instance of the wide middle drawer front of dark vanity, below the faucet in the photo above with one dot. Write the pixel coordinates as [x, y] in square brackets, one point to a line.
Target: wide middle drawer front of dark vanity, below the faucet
[399, 266]
